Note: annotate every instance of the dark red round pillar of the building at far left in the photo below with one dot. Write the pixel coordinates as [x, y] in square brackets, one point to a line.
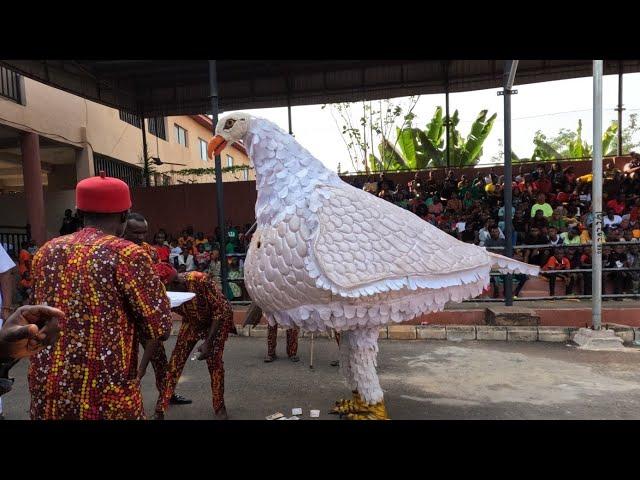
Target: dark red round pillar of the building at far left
[32, 175]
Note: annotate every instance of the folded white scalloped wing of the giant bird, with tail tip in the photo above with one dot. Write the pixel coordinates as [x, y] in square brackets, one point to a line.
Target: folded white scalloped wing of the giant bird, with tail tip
[365, 245]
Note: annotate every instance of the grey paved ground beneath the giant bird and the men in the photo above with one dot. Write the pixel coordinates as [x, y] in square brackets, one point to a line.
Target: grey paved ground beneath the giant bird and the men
[421, 379]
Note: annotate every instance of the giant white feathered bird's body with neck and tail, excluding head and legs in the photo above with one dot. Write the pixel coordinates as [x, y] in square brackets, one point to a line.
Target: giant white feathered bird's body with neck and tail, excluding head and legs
[328, 255]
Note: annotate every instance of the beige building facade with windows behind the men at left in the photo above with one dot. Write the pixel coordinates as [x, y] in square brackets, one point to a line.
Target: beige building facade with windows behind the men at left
[50, 139]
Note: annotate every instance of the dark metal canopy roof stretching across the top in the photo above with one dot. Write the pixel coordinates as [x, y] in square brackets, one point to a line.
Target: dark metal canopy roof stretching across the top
[181, 87]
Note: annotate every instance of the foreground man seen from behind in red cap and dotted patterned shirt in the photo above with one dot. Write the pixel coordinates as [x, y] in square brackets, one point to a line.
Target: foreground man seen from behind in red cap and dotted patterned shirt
[107, 289]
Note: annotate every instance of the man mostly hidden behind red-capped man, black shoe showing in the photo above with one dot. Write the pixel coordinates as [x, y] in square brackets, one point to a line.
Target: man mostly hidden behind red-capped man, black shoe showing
[136, 232]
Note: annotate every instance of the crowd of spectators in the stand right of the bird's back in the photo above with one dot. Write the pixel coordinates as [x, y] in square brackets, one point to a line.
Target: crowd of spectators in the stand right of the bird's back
[551, 211]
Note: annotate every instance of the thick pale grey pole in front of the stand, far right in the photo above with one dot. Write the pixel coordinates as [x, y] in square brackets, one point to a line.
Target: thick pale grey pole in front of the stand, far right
[596, 277]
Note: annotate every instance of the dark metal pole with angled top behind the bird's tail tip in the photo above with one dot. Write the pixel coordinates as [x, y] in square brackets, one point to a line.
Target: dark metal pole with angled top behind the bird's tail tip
[510, 67]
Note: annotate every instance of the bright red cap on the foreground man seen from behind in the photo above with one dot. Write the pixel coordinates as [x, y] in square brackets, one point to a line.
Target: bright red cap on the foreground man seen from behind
[103, 195]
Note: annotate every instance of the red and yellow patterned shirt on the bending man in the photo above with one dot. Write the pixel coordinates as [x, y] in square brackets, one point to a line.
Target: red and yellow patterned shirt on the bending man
[208, 305]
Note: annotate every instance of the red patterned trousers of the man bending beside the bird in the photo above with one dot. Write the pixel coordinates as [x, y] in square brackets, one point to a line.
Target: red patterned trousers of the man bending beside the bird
[187, 339]
